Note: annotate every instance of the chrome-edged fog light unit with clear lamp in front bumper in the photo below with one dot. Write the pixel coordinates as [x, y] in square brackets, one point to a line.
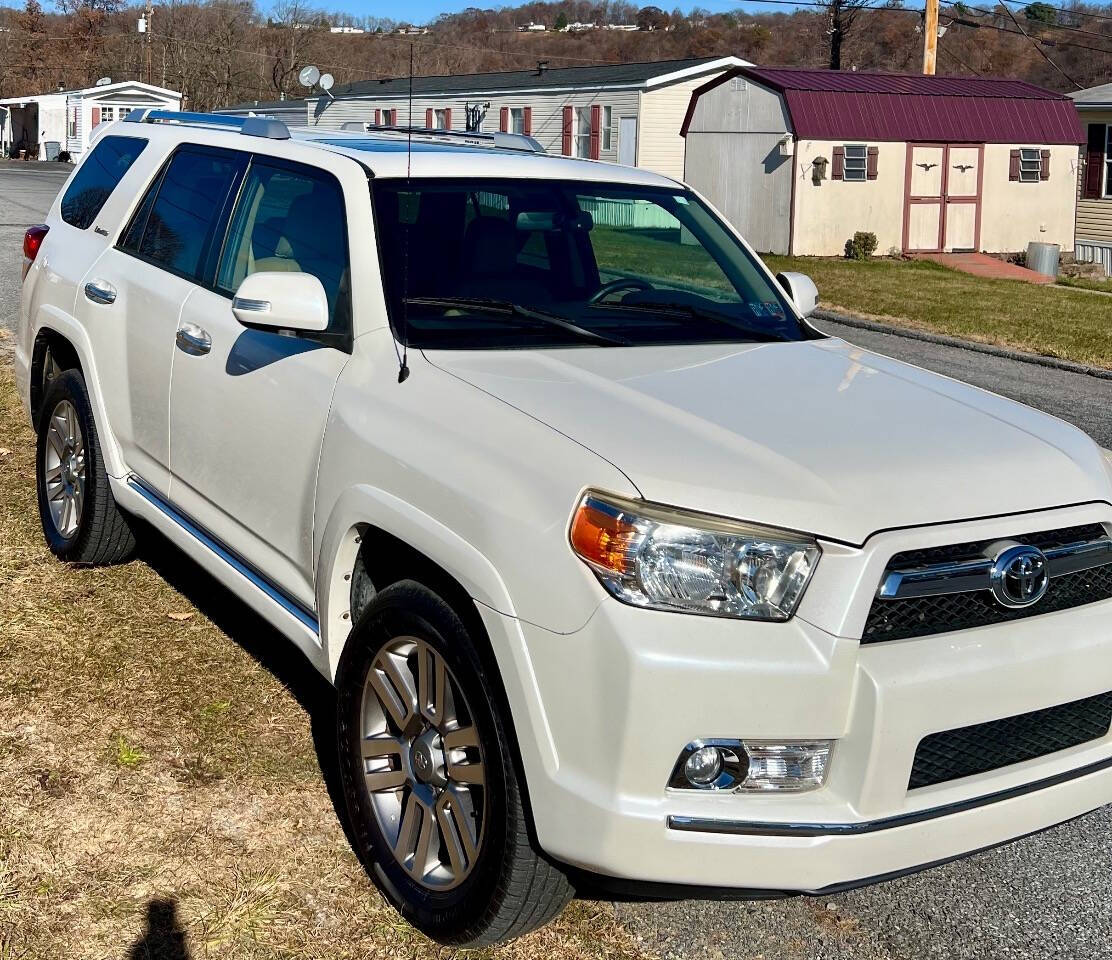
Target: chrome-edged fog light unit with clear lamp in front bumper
[752, 766]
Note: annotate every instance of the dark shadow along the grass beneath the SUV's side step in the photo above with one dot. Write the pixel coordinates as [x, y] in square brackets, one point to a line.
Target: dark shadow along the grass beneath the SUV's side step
[271, 649]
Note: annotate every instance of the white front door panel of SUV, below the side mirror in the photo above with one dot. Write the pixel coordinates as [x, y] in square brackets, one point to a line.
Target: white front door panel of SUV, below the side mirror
[247, 420]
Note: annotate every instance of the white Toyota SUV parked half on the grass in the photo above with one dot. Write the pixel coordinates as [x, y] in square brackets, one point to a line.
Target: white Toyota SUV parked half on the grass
[629, 579]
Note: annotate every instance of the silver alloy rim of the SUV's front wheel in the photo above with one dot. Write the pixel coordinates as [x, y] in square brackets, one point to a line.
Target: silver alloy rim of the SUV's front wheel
[423, 764]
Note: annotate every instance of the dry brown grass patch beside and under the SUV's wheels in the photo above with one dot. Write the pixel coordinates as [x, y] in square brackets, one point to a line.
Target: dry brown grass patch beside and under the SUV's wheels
[162, 757]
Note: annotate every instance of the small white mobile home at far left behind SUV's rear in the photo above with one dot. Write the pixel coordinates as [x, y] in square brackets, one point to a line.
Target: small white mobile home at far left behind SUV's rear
[43, 125]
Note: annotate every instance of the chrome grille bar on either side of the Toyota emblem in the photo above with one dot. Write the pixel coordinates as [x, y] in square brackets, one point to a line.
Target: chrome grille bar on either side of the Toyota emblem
[972, 576]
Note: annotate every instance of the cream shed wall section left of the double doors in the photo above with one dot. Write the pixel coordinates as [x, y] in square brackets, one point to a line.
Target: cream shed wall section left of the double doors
[829, 214]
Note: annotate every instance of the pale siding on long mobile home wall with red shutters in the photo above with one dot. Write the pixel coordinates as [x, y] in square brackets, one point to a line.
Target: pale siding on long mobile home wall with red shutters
[548, 113]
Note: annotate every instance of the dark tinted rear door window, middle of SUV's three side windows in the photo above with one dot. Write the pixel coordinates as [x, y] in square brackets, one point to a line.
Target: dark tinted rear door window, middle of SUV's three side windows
[192, 196]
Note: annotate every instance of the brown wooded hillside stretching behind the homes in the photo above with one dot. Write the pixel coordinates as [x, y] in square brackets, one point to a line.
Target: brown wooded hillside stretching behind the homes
[229, 52]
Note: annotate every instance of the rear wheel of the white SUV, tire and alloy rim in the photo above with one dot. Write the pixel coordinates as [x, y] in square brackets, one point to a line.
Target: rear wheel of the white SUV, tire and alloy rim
[81, 520]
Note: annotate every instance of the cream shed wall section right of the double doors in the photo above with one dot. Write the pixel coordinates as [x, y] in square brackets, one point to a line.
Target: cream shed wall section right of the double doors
[1014, 214]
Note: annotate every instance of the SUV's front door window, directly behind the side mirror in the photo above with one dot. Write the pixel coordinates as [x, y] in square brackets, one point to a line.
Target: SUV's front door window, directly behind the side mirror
[291, 220]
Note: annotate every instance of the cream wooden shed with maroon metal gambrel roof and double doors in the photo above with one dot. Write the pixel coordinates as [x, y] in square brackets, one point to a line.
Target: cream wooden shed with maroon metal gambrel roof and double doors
[801, 160]
